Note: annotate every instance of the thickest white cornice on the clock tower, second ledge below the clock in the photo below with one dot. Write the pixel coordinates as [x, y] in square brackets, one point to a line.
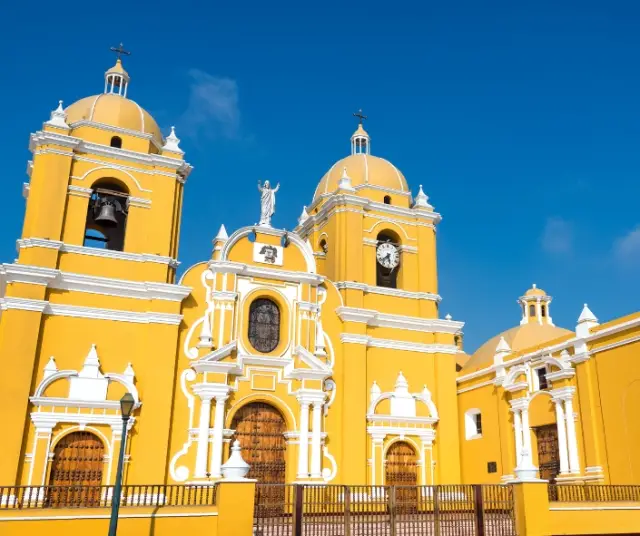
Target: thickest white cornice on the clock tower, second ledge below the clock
[377, 319]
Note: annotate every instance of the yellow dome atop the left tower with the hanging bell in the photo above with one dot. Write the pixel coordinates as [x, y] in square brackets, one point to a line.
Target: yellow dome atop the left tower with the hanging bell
[116, 111]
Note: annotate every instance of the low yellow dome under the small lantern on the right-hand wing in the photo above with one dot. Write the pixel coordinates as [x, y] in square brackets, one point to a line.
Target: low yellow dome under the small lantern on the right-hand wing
[518, 338]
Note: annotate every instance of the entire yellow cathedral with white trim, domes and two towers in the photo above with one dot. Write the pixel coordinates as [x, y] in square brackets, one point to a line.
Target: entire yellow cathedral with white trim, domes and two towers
[321, 350]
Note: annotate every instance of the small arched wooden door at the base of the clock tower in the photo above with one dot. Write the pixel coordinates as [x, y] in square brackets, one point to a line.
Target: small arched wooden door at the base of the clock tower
[401, 469]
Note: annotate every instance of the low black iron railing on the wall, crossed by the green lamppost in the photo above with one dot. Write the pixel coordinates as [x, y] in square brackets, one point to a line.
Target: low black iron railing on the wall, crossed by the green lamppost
[100, 496]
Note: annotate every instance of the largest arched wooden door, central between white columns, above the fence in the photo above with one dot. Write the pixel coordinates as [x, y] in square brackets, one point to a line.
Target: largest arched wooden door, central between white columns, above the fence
[260, 429]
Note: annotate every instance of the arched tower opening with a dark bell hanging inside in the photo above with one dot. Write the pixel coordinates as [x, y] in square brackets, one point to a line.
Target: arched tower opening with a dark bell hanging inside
[107, 215]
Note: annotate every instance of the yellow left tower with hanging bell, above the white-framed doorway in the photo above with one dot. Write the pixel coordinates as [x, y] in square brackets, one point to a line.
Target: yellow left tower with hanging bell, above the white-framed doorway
[96, 265]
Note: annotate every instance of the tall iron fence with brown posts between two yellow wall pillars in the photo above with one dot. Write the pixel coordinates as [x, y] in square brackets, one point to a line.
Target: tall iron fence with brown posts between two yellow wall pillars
[312, 510]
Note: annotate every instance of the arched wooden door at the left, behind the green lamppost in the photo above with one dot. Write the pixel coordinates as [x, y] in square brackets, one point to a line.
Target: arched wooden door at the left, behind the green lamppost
[76, 470]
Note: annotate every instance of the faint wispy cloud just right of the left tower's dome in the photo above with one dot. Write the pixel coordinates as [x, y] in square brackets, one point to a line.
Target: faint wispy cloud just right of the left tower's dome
[212, 110]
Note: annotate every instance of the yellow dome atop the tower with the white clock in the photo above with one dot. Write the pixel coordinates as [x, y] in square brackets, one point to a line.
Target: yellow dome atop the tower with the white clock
[363, 169]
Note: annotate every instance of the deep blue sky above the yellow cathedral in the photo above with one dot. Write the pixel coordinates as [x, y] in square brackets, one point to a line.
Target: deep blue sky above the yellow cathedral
[521, 120]
